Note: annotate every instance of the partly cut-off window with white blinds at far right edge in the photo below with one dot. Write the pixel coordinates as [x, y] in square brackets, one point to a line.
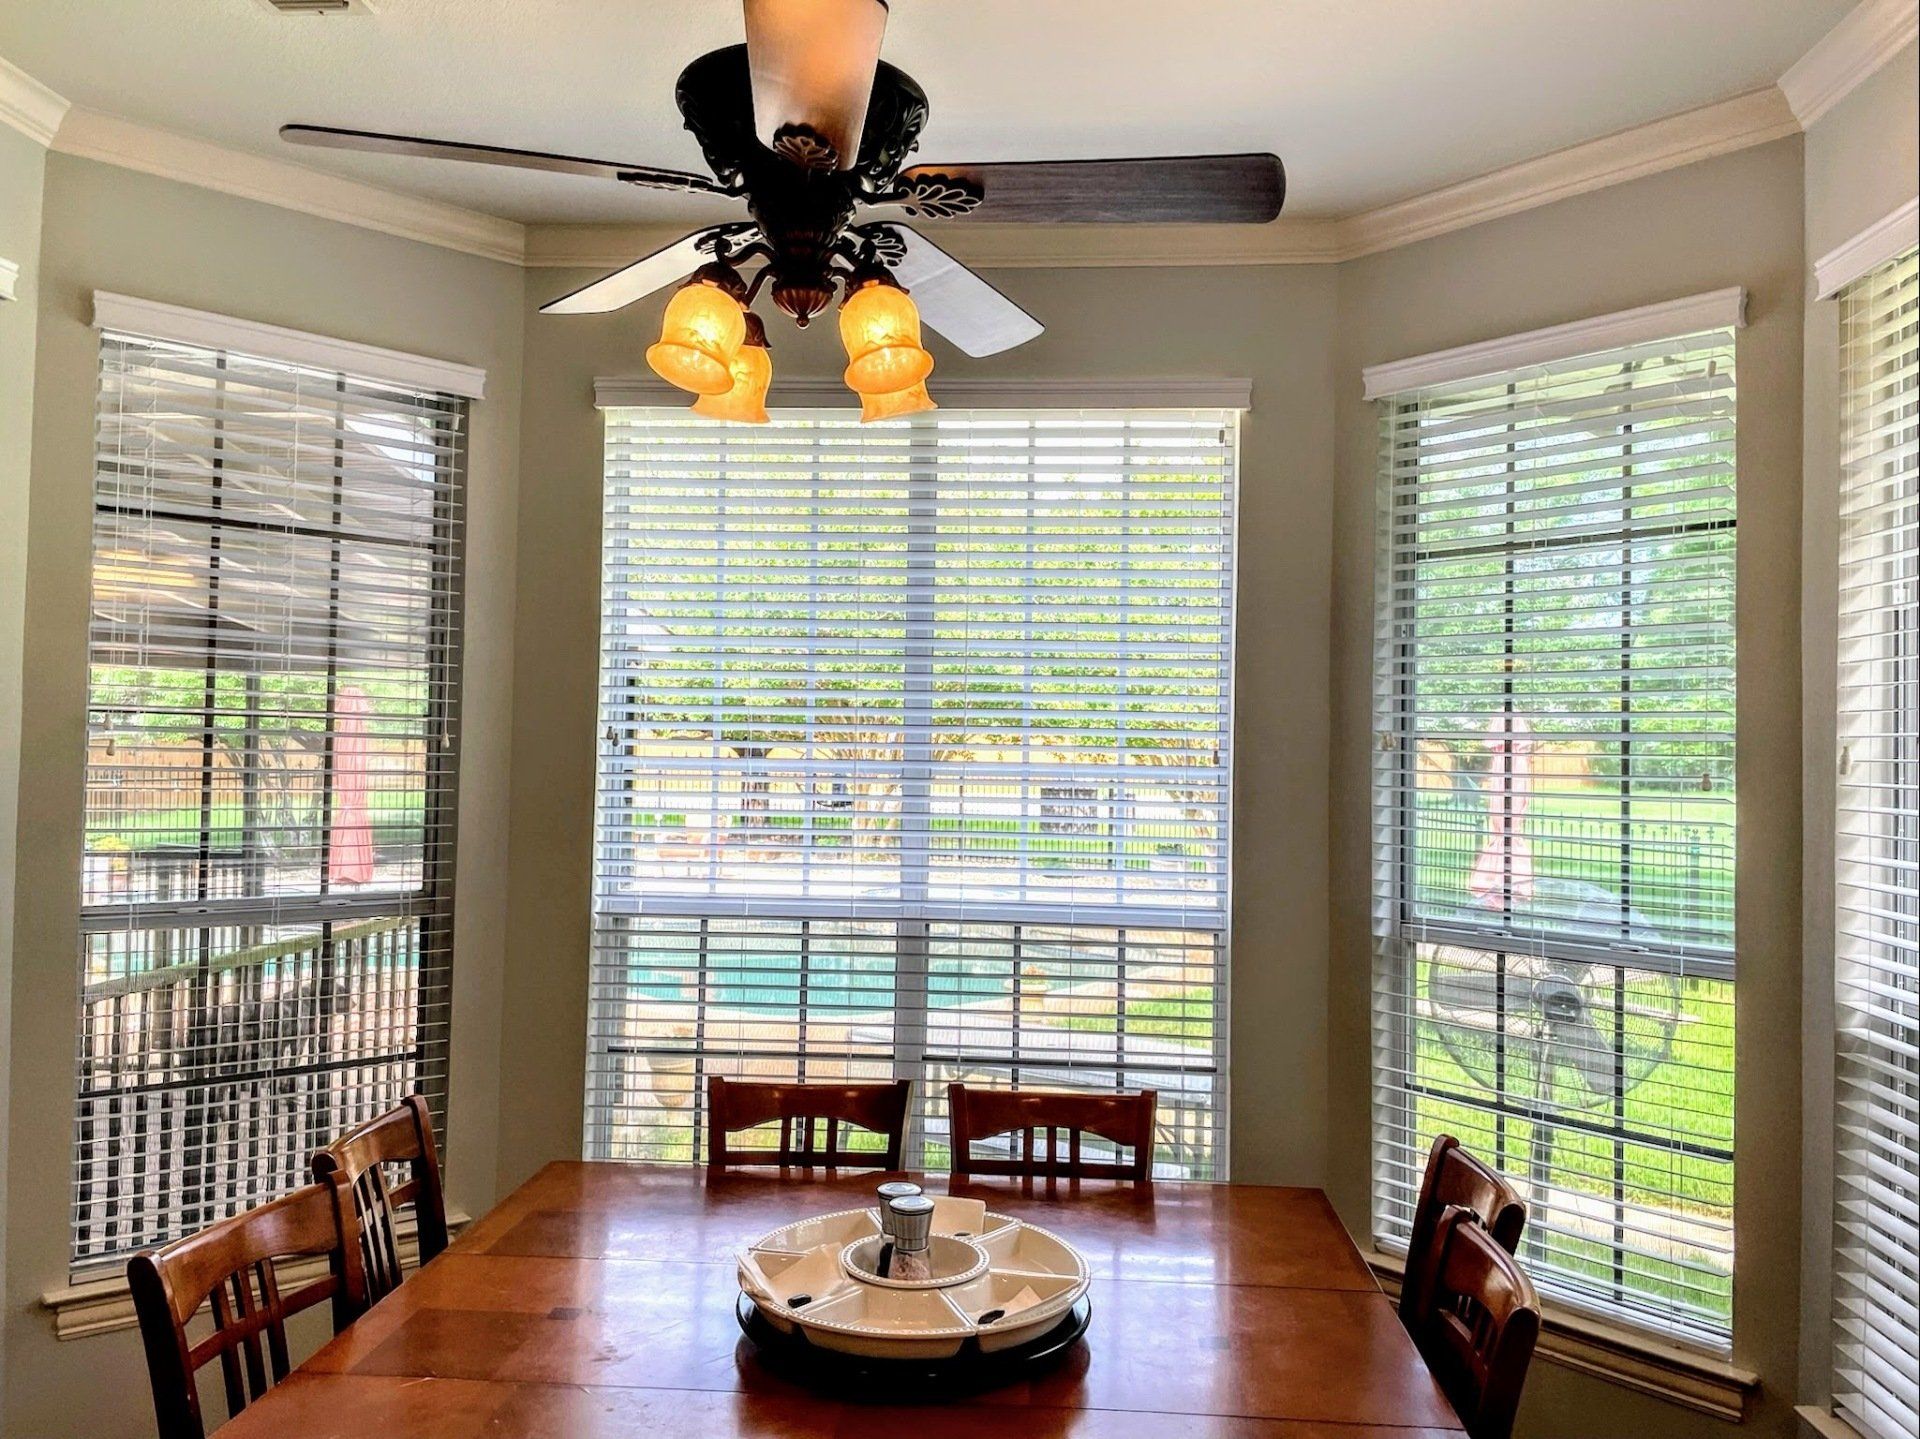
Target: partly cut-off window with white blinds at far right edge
[1877, 1083]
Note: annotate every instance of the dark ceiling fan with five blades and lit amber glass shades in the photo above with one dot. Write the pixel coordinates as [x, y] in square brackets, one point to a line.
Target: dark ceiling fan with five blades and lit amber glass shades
[811, 128]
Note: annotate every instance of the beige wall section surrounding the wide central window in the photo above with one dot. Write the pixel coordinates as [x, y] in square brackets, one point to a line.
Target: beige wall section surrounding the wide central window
[1270, 326]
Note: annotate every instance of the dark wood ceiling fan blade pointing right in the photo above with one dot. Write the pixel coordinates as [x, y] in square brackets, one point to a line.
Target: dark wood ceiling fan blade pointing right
[1168, 191]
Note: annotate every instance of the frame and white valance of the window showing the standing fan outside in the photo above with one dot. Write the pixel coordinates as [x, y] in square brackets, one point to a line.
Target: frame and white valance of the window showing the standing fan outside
[1399, 921]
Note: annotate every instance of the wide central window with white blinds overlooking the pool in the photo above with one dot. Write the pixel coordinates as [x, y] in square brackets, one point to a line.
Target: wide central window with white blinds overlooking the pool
[913, 764]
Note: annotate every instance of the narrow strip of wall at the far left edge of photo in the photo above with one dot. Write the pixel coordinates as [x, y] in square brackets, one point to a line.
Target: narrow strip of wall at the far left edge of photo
[22, 178]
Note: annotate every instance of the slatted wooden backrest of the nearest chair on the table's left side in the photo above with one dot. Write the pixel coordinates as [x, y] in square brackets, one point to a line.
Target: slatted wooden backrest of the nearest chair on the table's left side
[233, 1265]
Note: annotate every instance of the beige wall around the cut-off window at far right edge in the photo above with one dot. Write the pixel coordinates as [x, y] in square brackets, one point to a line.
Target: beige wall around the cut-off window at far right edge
[1863, 160]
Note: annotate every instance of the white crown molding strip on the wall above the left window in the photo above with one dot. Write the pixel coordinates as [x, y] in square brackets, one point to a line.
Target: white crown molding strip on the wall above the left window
[114, 141]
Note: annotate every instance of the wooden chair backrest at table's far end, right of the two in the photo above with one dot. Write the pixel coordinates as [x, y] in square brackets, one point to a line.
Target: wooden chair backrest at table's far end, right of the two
[978, 1115]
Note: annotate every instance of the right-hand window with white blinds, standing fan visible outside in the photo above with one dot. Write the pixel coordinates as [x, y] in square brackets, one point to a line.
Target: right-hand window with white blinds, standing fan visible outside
[1554, 812]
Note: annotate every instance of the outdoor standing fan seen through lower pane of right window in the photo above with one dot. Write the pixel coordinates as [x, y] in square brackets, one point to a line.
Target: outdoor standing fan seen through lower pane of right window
[1552, 1033]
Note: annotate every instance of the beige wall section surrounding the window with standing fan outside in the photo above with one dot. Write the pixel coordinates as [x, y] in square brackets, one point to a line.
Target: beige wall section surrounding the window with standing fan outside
[1717, 224]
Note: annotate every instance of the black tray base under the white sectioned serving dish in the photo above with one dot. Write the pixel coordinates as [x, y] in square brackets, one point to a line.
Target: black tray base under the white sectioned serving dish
[909, 1380]
